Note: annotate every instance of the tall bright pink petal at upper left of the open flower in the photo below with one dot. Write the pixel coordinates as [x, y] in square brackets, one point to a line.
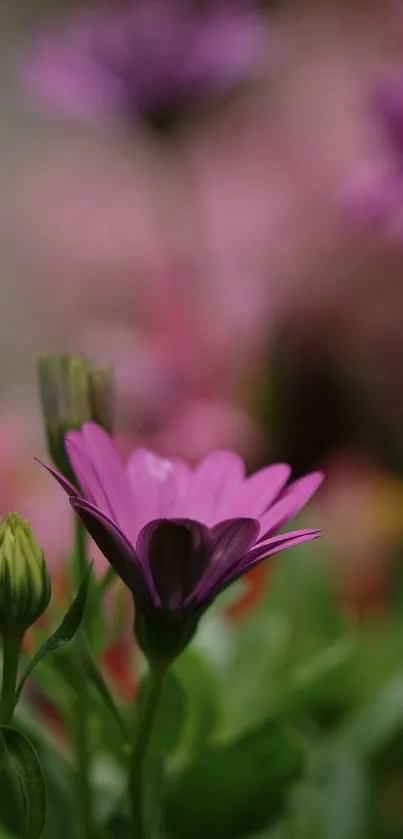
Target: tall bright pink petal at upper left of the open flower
[101, 470]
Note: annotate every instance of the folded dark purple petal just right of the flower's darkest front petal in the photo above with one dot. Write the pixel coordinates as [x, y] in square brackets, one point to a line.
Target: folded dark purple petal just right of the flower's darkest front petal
[232, 539]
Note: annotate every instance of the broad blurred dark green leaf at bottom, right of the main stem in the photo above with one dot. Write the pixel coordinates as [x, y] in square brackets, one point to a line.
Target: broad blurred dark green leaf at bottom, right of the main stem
[234, 788]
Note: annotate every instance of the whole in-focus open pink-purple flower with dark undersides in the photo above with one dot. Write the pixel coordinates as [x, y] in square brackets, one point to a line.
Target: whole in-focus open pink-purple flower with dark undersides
[175, 536]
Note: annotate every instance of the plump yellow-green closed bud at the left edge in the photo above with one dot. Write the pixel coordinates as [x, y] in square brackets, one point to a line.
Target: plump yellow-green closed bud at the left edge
[25, 586]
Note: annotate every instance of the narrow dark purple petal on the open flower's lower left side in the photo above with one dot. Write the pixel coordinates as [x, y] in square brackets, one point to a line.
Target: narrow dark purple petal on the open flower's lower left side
[112, 543]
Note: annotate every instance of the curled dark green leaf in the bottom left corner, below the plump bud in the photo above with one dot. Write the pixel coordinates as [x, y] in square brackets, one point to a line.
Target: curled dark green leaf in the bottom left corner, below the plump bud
[27, 771]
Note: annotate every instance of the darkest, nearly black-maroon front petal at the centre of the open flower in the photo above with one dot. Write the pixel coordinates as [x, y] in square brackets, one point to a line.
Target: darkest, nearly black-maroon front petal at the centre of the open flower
[177, 553]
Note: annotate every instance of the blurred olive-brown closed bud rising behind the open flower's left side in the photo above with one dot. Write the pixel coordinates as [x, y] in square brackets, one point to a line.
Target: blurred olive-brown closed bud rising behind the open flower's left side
[73, 391]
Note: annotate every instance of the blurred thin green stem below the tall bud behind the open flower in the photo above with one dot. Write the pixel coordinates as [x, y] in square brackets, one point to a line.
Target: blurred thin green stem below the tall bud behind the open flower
[82, 717]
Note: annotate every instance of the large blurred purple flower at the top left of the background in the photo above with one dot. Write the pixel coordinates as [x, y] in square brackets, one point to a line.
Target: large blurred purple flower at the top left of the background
[139, 57]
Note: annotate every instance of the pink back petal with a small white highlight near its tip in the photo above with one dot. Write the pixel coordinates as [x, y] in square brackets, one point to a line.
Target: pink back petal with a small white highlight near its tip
[159, 486]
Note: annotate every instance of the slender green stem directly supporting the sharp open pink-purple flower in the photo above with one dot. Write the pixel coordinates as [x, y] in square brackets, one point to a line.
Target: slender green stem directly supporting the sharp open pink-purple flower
[145, 722]
